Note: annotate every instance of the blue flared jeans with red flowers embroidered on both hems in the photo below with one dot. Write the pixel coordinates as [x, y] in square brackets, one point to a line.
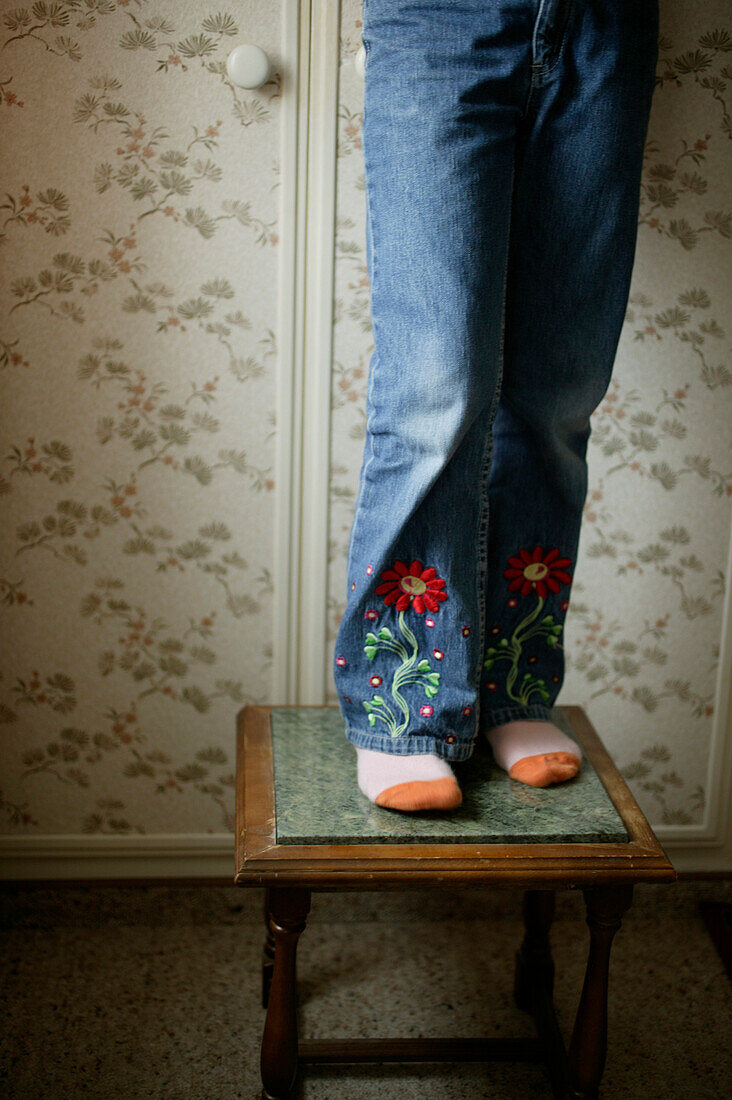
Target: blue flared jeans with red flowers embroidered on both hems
[504, 144]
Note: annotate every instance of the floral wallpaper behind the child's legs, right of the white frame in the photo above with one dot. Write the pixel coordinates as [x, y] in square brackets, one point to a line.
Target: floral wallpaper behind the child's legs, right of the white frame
[642, 634]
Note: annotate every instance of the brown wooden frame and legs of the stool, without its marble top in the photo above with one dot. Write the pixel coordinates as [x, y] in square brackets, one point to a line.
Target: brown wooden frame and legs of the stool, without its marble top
[606, 874]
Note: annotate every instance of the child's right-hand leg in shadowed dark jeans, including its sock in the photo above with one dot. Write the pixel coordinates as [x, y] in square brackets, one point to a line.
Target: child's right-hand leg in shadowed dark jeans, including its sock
[572, 250]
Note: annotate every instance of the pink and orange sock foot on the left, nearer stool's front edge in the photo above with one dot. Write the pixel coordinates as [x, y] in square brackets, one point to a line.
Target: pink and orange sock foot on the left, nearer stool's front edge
[421, 782]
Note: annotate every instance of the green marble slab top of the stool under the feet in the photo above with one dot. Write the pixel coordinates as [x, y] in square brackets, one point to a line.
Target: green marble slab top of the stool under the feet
[318, 799]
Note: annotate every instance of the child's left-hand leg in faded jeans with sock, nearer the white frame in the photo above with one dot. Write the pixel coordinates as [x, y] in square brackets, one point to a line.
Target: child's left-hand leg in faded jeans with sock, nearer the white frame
[439, 146]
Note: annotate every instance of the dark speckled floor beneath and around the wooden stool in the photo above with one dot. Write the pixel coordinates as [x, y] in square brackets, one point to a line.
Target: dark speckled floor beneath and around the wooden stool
[155, 992]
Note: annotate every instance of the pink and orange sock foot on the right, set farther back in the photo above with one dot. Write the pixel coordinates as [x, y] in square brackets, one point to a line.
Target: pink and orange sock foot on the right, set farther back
[536, 753]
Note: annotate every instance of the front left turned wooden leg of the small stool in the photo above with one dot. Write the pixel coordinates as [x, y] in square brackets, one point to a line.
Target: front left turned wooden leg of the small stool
[289, 908]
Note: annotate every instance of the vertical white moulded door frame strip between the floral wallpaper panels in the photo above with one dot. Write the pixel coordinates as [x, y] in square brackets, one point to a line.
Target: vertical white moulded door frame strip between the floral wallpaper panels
[307, 318]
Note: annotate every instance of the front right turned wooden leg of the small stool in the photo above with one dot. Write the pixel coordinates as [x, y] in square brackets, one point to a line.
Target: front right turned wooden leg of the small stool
[606, 906]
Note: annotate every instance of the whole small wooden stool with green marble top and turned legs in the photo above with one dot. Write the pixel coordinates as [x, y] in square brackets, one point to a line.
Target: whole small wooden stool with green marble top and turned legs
[303, 826]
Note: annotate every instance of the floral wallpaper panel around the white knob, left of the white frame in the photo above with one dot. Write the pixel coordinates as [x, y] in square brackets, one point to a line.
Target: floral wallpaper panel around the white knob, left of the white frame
[138, 359]
